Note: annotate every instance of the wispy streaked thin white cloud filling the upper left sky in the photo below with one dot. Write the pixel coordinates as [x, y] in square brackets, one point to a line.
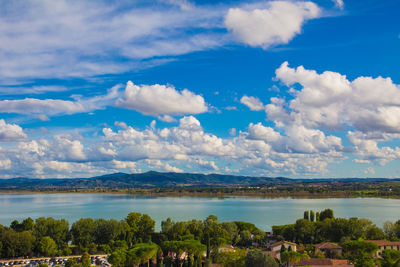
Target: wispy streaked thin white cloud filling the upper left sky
[82, 38]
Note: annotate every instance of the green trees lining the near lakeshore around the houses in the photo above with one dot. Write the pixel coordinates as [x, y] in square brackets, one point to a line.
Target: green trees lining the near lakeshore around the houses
[133, 241]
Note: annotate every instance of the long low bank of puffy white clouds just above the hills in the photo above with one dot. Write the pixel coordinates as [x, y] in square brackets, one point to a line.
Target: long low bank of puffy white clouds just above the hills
[261, 150]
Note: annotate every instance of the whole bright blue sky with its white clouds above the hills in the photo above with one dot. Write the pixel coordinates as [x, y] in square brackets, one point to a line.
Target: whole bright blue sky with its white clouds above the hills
[301, 89]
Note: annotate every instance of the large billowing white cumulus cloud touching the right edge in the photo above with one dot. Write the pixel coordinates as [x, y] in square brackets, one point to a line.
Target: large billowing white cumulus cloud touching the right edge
[330, 100]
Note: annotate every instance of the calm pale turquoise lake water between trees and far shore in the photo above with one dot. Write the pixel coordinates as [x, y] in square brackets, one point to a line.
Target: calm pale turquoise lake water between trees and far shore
[263, 212]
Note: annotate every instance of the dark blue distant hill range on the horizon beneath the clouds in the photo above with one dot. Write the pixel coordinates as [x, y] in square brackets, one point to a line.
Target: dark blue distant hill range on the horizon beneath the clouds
[161, 179]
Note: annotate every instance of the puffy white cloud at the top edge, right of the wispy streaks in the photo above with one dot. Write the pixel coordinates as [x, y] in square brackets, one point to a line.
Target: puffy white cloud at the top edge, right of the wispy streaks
[277, 24]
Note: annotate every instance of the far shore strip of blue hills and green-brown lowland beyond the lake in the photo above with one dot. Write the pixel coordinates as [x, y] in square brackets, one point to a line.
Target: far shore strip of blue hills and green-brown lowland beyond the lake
[155, 183]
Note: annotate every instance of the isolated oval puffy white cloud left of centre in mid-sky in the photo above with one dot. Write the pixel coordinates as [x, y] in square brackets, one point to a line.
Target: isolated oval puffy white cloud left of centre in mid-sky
[161, 100]
